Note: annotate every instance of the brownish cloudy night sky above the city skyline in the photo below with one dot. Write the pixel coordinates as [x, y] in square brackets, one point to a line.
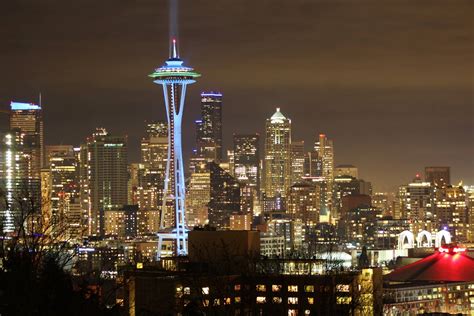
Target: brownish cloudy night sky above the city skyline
[391, 82]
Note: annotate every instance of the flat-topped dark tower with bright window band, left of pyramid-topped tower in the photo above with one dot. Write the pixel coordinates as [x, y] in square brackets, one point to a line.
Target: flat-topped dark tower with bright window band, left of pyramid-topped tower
[246, 160]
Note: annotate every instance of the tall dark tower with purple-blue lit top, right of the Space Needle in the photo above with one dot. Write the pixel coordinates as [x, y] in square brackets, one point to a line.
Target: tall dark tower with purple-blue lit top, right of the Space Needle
[209, 128]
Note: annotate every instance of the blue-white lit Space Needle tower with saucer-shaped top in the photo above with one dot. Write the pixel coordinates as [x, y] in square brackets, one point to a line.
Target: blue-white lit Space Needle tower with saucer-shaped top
[174, 77]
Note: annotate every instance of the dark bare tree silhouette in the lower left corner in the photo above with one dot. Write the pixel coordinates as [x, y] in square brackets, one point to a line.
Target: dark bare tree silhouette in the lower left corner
[34, 279]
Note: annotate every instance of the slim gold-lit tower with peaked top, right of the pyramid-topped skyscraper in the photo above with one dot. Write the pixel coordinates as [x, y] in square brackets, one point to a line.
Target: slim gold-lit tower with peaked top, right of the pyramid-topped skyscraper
[325, 149]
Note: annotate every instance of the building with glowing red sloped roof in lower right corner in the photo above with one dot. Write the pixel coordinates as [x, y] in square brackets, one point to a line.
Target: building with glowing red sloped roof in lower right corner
[440, 283]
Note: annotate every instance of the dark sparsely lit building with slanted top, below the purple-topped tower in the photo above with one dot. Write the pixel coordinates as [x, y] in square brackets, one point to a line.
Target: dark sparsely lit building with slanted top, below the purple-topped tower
[224, 197]
